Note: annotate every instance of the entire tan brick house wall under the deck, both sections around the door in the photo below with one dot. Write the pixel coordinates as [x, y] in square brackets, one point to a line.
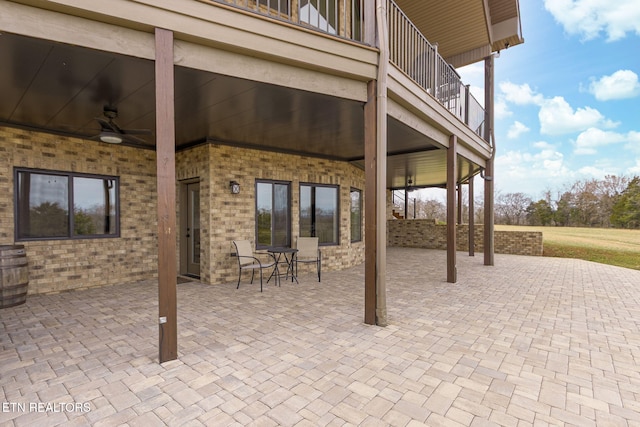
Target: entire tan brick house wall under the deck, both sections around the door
[57, 265]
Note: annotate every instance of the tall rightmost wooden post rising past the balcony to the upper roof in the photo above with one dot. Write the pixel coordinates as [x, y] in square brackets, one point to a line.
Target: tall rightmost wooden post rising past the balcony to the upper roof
[488, 174]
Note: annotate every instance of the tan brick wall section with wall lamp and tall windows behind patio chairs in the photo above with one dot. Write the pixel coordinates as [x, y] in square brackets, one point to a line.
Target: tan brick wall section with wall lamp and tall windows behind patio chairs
[232, 216]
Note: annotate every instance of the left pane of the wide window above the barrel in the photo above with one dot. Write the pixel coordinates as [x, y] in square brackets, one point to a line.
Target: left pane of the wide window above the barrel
[43, 205]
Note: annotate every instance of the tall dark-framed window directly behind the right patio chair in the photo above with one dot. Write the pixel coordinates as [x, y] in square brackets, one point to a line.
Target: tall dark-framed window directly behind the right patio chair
[319, 213]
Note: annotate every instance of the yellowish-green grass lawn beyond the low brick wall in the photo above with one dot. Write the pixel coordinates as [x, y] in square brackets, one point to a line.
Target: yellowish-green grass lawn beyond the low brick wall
[605, 245]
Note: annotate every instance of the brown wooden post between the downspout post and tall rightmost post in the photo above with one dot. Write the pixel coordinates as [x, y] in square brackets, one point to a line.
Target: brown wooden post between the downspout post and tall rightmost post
[452, 173]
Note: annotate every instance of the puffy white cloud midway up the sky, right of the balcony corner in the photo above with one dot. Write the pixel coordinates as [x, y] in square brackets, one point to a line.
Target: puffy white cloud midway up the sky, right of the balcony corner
[557, 117]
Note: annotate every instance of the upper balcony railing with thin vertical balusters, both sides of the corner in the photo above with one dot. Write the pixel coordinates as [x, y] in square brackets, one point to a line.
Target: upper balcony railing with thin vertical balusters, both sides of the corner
[409, 50]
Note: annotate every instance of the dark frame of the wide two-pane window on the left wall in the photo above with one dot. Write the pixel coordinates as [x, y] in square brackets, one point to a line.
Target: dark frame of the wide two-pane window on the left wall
[70, 204]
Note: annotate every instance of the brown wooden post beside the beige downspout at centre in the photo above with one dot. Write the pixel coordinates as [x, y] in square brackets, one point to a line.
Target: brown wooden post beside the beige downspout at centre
[370, 200]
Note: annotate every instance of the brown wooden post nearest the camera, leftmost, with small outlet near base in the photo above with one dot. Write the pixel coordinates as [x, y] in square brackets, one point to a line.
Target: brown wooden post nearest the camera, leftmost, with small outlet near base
[166, 179]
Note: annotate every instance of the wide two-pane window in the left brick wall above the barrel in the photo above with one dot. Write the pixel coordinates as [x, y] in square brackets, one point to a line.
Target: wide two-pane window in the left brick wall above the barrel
[59, 205]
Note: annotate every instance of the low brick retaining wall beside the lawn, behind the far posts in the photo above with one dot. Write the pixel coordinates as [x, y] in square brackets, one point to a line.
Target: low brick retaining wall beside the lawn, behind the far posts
[424, 233]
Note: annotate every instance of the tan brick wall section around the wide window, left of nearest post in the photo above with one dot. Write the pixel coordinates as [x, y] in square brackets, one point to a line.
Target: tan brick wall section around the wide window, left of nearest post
[57, 265]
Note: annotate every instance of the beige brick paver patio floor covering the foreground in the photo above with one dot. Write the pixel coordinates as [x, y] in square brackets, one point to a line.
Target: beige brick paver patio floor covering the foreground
[531, 341]
